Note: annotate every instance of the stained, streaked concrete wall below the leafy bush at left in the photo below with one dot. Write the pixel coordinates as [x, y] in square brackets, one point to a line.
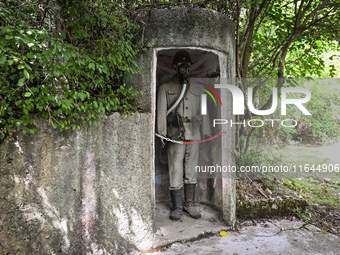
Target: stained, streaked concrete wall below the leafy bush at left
[78, 192]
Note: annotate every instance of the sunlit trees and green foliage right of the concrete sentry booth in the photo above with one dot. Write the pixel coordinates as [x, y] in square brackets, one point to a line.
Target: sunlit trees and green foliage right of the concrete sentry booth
[287, 40]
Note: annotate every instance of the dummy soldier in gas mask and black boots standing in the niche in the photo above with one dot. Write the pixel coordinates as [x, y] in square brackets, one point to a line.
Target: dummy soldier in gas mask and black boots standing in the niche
[178, 118]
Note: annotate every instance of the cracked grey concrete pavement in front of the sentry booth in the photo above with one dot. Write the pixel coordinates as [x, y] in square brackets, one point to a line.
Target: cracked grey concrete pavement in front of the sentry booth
[272, 237]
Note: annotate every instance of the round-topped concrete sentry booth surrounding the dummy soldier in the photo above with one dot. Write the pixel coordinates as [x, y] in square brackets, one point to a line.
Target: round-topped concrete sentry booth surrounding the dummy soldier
[209, 38]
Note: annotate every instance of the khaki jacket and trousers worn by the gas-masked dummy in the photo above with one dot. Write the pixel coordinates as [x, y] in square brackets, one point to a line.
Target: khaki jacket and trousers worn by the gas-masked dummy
[182, 158]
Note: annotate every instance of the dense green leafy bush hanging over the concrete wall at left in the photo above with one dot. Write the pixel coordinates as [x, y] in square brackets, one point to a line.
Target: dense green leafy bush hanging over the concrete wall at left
[63, 61]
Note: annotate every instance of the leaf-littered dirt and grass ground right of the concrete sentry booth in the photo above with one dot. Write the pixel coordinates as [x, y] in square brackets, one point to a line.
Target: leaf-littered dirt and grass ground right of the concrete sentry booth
[321, 192]
